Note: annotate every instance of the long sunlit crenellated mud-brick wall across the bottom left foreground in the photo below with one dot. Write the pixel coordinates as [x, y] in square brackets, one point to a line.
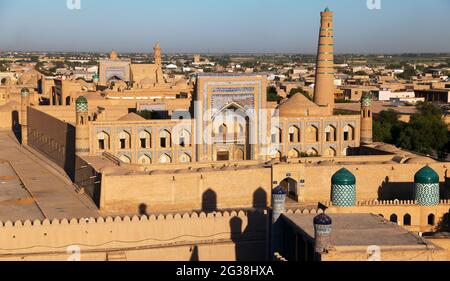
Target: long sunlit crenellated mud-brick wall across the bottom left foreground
[225, 235]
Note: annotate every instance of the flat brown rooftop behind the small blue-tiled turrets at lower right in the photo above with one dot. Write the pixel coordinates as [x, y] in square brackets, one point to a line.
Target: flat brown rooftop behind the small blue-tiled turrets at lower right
[358, 230]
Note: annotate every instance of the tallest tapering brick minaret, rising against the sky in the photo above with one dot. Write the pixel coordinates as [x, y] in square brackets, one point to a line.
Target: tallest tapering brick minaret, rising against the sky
[324, 86]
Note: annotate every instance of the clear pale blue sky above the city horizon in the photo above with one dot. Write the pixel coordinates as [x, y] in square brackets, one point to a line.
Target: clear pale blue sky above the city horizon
[224, 26]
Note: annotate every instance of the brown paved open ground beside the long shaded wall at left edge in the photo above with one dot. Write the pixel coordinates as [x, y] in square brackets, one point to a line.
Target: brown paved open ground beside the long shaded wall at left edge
[46, 195]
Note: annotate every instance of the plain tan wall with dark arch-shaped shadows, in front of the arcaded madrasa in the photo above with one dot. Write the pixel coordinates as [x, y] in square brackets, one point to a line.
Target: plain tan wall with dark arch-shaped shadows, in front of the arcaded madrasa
[210, 190]
